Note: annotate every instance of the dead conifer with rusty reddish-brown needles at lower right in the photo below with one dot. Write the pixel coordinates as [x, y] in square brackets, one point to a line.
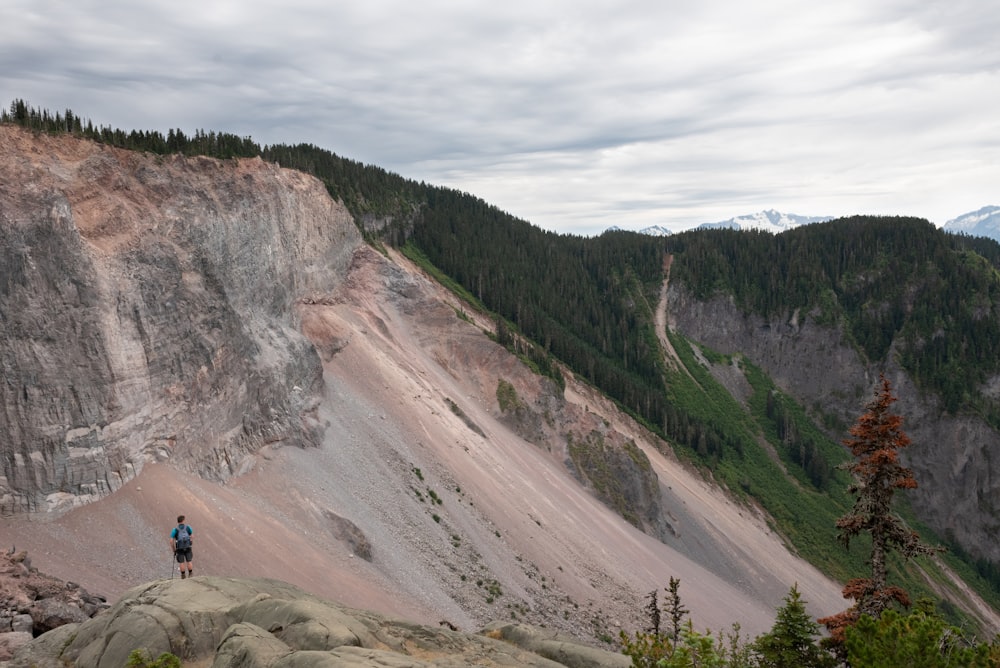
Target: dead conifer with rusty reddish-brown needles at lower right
[875, 442]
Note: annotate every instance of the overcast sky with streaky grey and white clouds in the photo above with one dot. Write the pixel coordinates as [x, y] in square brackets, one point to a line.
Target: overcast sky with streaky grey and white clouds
[574, 115]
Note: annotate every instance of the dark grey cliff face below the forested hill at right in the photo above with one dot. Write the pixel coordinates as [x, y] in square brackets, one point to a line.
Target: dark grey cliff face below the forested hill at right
[959, 489]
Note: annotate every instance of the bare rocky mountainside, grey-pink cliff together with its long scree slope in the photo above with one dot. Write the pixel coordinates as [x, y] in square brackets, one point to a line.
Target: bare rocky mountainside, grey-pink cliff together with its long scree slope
[411, 460]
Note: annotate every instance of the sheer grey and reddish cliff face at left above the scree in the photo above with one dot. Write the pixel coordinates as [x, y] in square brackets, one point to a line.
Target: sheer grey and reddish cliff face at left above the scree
[147, 313]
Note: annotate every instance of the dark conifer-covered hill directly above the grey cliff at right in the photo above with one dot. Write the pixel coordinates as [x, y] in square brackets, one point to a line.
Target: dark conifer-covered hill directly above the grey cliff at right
[887, 280]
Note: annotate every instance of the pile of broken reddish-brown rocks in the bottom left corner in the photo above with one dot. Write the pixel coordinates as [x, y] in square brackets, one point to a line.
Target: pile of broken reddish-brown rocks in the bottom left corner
[32, 603]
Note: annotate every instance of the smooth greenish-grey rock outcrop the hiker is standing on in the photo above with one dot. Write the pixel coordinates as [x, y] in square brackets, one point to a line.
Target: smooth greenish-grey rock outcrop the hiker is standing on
[259, 623]
